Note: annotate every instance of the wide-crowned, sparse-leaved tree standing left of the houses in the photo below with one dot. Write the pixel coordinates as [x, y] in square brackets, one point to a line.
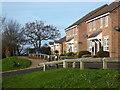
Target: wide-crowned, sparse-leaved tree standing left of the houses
[37, 31]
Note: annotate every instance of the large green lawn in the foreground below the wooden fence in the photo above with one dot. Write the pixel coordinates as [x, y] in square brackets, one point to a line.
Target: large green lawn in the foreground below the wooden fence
[65, 78]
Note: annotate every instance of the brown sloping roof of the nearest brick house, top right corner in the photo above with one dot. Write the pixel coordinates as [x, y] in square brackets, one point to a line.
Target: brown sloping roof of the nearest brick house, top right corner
[109, 8]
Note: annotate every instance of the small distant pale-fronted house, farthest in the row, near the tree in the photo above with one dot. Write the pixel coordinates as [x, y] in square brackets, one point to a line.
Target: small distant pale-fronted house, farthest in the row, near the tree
[58, 45]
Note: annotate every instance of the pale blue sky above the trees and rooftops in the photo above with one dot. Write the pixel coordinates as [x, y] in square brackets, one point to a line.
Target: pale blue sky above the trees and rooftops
[59, 14]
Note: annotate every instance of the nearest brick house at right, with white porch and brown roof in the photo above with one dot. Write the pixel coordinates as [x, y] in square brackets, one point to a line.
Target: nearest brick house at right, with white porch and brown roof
[101, 32]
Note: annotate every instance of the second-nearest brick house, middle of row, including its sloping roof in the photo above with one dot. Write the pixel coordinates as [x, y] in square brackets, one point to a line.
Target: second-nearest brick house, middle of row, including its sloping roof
[76, 33]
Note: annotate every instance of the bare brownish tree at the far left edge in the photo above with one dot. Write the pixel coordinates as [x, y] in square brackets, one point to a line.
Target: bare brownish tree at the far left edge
[12, 38]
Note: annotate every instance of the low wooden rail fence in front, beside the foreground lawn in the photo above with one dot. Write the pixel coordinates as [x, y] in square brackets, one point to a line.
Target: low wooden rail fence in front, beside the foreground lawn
[82, 61]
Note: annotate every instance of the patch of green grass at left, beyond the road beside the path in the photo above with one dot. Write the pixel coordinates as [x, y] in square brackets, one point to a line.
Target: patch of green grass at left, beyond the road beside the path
[7, 63]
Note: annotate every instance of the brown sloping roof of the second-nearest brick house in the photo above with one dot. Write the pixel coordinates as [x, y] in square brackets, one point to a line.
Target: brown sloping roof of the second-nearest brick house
[86, 16]
